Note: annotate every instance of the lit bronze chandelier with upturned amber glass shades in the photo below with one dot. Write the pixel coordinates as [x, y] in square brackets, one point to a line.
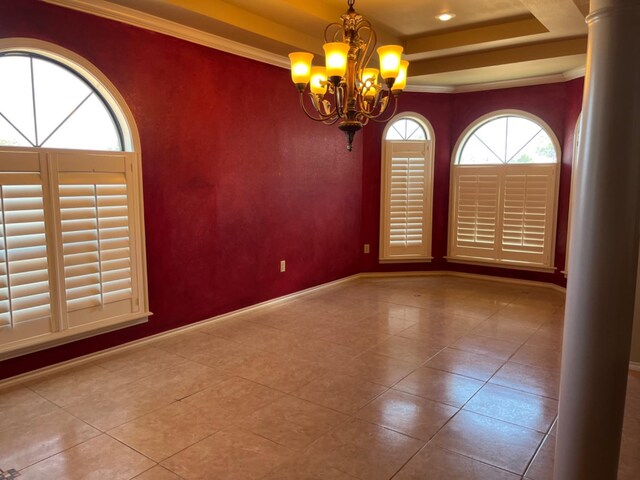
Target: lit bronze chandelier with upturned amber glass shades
[346, 88]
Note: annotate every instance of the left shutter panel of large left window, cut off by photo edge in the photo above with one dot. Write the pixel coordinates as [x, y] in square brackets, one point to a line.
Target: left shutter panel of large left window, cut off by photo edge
[25, 296]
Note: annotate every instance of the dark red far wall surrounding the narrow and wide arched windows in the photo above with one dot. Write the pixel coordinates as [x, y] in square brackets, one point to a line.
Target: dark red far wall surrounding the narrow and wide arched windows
[450, 115]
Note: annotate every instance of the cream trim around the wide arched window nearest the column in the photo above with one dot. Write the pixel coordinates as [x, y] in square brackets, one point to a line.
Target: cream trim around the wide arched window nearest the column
[471, 128]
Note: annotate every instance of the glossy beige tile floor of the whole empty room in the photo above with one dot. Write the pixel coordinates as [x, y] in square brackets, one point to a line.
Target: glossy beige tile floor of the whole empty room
[403, 378]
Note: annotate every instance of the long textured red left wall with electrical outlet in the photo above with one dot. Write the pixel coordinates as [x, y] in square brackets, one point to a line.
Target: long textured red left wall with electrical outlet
[235, 177]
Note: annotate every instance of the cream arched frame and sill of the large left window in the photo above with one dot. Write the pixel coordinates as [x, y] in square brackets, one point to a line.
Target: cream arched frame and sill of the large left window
[60, 333]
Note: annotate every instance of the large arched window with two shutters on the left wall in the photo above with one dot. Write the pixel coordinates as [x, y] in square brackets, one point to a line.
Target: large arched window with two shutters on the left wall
[71, 241]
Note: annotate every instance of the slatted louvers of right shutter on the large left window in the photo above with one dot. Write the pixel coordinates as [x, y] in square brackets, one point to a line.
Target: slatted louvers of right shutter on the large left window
[95, 238]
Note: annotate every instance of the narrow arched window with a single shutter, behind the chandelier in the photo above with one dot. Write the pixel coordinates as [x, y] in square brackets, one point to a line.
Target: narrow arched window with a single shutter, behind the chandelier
[406, 189]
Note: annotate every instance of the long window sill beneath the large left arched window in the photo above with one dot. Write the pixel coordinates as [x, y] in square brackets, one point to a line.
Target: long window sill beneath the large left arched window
[55, 339]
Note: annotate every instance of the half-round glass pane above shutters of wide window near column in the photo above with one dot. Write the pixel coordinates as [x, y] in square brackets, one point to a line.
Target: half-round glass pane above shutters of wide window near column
[507, 139]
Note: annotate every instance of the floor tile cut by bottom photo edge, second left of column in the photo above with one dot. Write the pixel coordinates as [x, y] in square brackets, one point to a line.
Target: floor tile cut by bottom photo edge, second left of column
[436, 464]
